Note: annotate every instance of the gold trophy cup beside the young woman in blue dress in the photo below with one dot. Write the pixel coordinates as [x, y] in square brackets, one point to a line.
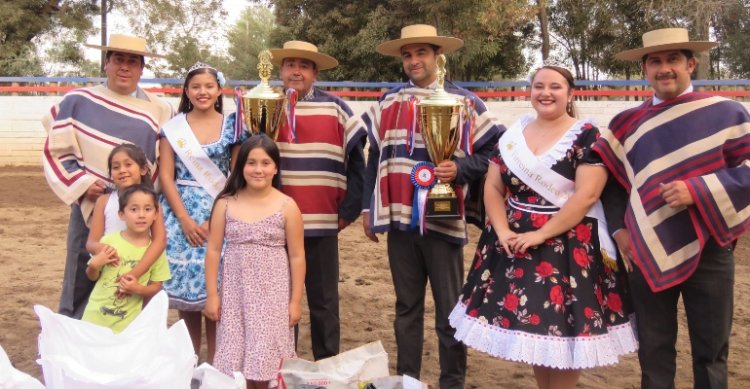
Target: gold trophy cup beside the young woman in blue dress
[262, 106]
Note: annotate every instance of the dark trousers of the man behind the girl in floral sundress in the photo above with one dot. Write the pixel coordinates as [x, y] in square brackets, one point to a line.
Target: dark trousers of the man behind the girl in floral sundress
[322, 287]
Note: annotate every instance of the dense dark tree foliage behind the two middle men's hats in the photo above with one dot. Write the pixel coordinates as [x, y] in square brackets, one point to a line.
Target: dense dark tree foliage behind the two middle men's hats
[494, 32]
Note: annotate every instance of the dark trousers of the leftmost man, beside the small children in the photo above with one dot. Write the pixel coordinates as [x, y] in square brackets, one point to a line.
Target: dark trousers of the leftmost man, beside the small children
[76, 286]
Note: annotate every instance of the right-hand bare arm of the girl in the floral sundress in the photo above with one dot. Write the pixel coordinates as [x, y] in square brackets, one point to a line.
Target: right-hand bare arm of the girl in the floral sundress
[296, 249]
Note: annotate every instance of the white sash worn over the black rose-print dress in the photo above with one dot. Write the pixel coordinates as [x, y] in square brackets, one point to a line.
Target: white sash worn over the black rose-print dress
[546, 182]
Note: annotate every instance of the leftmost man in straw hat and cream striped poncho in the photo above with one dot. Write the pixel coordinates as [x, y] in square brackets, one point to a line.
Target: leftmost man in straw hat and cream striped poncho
[81, 131]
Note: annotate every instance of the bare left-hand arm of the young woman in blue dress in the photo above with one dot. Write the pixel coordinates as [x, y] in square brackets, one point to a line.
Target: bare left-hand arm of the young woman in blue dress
[196, 235]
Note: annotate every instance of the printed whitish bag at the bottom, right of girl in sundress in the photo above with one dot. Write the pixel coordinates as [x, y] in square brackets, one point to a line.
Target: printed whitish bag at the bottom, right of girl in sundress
[345, 370]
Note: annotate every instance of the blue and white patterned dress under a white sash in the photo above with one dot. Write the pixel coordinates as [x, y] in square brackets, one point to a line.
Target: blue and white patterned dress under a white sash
[187, 288]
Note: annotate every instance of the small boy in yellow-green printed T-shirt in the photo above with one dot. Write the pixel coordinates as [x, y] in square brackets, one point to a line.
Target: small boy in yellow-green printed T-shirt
[124, 250]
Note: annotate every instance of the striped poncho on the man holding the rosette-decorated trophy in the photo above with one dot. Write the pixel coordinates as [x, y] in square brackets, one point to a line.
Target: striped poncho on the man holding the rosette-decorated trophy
[388, 190]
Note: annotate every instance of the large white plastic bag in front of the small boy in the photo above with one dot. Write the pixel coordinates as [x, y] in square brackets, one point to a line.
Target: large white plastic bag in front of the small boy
[82, 355]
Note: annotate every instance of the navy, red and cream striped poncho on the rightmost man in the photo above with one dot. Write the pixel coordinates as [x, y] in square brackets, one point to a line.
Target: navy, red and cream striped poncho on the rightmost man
[701, 139]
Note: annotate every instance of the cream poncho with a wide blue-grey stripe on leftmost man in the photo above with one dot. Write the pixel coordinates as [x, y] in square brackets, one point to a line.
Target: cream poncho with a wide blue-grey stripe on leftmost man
[84, 128]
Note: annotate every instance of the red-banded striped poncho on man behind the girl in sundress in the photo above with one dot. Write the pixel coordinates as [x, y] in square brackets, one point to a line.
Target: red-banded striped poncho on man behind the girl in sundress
[322, 169]
